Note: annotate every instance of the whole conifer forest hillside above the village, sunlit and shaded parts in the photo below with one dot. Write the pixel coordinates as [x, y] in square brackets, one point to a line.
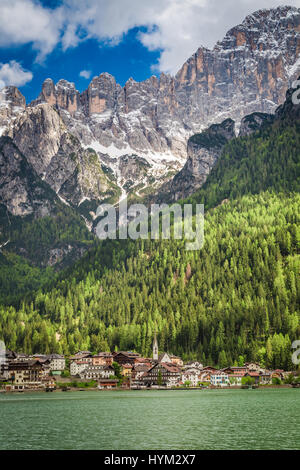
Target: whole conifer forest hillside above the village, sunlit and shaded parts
[236, 299]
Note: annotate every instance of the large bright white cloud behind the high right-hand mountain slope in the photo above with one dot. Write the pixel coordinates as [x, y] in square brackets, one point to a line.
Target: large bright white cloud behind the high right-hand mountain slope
[185, 25]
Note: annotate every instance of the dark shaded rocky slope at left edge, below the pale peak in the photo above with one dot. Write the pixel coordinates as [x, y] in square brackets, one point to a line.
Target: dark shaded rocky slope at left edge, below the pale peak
[24, 197]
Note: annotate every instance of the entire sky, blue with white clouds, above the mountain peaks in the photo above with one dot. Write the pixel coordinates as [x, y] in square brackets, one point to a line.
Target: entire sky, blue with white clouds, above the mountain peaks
[127, 38]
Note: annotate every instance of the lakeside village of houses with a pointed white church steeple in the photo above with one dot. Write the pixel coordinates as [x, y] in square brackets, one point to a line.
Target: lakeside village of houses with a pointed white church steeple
[129, 370]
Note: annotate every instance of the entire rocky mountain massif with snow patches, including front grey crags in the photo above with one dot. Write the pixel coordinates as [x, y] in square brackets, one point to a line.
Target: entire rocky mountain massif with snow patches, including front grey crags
[54, 133]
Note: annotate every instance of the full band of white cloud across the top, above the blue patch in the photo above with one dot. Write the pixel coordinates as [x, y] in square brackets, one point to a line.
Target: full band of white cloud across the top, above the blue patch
[174, 27]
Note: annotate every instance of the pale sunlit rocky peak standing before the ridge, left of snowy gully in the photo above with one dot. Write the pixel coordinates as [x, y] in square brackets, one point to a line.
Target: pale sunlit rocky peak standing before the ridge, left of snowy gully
[74, 173]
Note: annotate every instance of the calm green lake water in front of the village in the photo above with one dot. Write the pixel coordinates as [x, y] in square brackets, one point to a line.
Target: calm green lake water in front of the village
[207, 419]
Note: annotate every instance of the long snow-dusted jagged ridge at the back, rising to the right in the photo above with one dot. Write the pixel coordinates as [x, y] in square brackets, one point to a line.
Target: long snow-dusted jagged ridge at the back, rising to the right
[248, 71]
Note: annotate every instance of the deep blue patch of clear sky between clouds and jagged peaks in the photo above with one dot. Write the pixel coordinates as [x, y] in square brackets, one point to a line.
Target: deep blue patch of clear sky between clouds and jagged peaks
[127, 59]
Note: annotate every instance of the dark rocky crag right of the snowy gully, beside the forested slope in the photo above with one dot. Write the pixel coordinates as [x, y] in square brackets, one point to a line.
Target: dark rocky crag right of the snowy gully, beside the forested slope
[203, 151]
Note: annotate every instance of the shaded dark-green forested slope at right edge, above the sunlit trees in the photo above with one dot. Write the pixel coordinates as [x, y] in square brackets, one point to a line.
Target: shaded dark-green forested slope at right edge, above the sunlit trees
[267, 159]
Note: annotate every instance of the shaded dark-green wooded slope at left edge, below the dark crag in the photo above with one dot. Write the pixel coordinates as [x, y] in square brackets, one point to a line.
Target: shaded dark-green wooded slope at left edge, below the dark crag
[24, 267]
